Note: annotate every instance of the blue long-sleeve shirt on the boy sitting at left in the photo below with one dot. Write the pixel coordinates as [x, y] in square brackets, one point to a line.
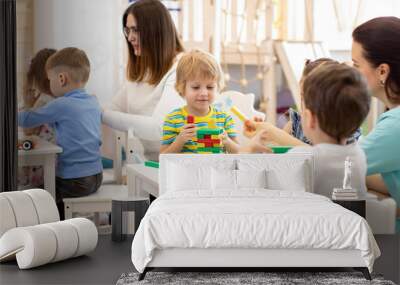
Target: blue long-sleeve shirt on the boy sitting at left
[76, 118]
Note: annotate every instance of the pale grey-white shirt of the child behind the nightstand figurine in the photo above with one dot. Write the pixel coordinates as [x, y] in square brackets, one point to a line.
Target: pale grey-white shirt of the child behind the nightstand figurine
[329, 166]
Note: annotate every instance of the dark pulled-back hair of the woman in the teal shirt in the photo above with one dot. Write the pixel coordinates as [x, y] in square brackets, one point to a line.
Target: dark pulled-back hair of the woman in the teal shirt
[380, 40]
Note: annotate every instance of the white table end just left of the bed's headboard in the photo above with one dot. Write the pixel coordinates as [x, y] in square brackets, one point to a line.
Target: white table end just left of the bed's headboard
[142, 180]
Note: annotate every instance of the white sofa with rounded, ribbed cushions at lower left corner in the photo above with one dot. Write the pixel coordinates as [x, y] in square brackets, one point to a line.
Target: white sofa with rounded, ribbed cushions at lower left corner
[31, 233]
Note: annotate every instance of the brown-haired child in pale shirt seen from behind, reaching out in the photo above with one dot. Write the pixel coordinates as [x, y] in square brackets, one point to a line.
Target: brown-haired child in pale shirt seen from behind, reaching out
[335, 102]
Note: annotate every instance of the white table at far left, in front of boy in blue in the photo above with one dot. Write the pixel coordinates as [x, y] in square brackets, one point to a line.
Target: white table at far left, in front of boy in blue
[43, 154]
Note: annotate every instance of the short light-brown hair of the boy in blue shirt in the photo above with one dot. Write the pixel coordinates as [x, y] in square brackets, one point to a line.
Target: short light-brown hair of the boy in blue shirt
[72, 60]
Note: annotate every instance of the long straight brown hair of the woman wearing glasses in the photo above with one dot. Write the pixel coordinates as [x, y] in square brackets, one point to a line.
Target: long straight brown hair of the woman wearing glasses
[158, 38]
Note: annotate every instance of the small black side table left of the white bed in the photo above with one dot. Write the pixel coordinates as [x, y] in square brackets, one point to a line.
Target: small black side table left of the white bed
[128, 204]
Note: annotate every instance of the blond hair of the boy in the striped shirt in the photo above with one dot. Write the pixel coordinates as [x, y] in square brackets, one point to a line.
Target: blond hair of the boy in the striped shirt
[197, 64]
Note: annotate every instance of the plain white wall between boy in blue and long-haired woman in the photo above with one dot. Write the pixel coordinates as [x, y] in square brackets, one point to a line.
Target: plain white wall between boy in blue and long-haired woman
[91, 25]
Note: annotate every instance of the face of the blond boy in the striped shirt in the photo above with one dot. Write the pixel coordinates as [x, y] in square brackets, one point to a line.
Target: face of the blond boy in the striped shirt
[200, 94]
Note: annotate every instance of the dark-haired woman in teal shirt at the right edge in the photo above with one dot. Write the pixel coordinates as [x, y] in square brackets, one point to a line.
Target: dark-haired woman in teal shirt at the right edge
[376, 54]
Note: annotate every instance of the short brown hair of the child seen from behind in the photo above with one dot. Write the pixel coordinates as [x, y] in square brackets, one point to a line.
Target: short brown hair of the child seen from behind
[338, 95]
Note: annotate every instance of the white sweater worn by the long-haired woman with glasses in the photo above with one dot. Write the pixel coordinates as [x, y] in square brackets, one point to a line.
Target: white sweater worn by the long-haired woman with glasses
[142, 108]
